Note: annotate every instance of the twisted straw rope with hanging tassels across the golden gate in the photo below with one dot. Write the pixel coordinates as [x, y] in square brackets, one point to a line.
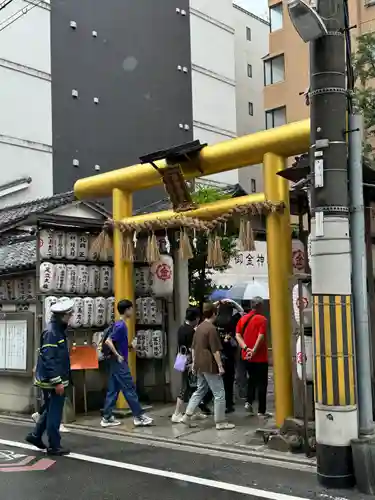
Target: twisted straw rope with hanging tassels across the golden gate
[189, 227]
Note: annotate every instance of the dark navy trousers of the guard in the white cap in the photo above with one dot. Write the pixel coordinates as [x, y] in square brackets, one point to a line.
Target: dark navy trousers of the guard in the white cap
[50, 419]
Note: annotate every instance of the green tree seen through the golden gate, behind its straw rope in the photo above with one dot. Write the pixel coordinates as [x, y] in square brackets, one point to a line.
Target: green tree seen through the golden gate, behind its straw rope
[200, 277]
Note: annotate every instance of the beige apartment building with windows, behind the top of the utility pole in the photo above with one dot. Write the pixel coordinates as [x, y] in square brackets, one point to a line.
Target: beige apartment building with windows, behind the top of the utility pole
[286, 67]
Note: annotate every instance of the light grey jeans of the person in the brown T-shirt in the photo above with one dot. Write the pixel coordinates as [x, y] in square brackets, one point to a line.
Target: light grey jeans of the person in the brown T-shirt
[214, 382]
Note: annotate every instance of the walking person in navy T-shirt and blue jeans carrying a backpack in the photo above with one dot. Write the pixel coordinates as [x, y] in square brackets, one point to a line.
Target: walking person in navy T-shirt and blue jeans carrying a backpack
[115, 349]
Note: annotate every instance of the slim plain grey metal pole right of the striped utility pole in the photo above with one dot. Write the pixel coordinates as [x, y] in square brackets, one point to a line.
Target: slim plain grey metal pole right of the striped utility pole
[359, 276]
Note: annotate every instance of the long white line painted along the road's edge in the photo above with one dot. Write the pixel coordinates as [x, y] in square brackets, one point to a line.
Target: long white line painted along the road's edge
[235, 488]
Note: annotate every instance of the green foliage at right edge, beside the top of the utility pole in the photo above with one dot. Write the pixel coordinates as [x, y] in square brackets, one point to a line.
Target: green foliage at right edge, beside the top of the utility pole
[364, 92]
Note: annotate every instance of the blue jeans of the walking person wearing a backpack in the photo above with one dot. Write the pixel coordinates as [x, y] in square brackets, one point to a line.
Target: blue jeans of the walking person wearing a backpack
[120, 380]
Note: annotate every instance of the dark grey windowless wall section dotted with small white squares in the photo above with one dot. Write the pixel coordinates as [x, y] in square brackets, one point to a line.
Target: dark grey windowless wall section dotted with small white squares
[116, 91]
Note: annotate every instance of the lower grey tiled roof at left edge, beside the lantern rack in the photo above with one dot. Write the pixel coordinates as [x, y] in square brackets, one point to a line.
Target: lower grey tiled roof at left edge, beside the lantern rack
[17, 256]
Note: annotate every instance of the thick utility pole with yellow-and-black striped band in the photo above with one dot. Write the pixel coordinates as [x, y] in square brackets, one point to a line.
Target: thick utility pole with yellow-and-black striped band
[335, 375]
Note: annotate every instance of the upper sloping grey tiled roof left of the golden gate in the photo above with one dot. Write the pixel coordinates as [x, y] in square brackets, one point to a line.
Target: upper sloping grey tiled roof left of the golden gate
[10, 216]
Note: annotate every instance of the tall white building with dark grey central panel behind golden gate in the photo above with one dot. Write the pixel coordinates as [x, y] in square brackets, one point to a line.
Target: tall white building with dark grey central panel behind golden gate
[83, 92]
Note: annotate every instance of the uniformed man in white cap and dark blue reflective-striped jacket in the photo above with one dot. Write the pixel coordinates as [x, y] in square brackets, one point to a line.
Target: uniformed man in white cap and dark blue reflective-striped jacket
[52, 375]
